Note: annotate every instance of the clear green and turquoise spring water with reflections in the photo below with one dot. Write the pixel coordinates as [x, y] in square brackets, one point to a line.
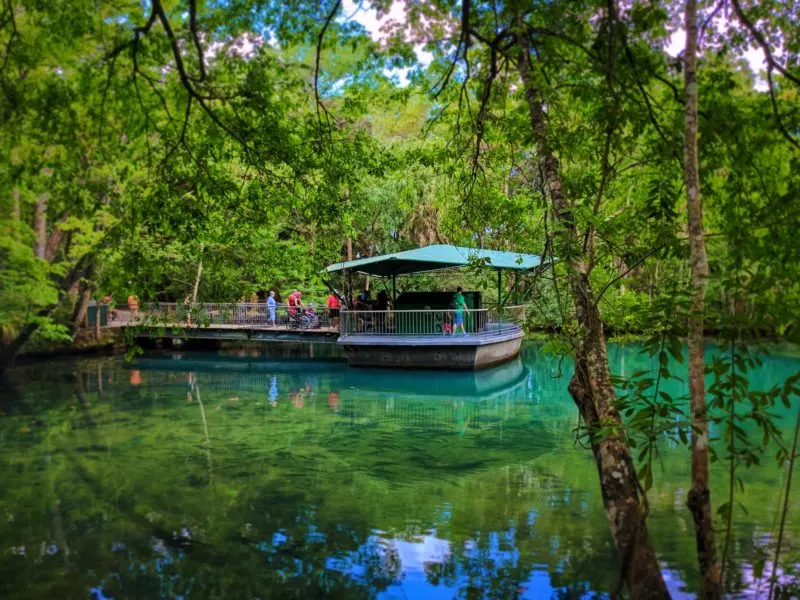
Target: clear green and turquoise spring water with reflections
[233, 475]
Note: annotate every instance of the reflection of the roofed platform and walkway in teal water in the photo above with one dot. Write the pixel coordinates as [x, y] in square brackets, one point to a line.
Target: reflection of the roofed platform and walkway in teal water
[430, 399]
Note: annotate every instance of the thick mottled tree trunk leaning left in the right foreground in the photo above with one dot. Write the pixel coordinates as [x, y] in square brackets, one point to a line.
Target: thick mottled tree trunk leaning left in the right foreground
[591, 386]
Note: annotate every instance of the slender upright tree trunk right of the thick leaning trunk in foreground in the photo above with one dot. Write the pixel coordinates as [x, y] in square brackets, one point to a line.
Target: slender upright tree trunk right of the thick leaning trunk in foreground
[699, 498]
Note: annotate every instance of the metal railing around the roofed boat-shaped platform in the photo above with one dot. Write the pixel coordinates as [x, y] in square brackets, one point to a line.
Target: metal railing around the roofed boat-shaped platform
[432, 322]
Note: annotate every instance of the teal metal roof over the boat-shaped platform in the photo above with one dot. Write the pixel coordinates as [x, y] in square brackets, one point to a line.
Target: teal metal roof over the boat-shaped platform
[435, 257]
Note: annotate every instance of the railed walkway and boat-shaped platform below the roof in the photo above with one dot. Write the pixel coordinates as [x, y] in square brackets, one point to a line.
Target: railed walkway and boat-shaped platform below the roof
[419, 337]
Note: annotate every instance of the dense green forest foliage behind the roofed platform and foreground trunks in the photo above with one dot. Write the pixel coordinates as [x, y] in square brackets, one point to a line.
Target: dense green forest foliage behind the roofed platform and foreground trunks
[261, 162]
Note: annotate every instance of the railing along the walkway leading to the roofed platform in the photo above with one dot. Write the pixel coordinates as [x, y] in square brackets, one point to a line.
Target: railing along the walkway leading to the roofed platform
[234, 315]
